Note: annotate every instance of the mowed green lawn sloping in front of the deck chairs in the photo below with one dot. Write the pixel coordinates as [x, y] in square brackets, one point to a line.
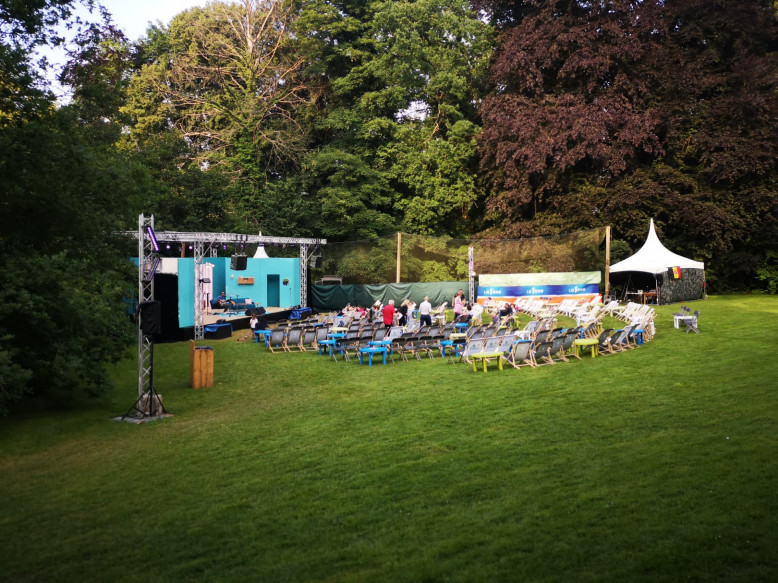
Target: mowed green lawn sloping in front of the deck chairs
[658, 464]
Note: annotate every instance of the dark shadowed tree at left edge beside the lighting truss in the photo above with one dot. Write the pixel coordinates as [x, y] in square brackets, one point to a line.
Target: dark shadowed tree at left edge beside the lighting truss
[63, 190]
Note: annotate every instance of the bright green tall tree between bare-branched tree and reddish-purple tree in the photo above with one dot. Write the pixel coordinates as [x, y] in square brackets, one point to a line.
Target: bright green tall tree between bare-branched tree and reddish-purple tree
[400, 118]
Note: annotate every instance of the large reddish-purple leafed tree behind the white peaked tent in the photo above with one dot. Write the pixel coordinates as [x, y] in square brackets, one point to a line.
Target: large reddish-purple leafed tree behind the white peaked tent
[613, 112]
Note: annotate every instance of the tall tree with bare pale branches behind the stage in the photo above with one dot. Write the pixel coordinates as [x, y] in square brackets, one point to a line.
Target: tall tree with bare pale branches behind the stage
[218, 96]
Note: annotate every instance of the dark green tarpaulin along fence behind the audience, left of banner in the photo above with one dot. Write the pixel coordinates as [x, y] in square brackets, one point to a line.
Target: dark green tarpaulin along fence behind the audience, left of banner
[335, 297]
